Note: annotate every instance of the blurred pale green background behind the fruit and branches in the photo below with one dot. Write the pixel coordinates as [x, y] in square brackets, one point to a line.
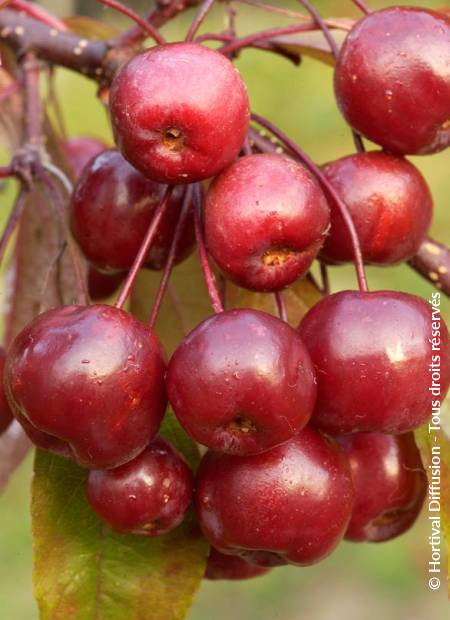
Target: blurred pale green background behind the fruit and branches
[359, 582]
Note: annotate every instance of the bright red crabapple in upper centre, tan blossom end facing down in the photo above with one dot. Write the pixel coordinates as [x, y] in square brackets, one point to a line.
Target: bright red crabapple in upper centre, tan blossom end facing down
[265, 220]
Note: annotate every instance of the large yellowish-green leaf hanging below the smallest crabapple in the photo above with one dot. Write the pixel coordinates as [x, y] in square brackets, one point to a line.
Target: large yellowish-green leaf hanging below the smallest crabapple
[85, 571]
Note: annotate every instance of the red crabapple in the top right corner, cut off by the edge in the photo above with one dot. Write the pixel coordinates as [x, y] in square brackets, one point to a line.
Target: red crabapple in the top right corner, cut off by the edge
[392, 79]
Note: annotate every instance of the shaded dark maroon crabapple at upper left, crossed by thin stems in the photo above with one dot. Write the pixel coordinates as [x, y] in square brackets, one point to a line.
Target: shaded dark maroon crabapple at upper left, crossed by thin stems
[111, 209]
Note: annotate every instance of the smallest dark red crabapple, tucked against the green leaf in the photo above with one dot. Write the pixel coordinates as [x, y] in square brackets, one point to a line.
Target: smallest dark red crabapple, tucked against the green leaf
[149, 495]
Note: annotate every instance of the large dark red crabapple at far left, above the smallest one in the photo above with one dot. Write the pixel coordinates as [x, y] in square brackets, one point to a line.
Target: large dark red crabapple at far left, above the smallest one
[92, 377]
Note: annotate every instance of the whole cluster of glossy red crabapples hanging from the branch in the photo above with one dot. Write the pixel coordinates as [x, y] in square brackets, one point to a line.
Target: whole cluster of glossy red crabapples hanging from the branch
[308, 429]
